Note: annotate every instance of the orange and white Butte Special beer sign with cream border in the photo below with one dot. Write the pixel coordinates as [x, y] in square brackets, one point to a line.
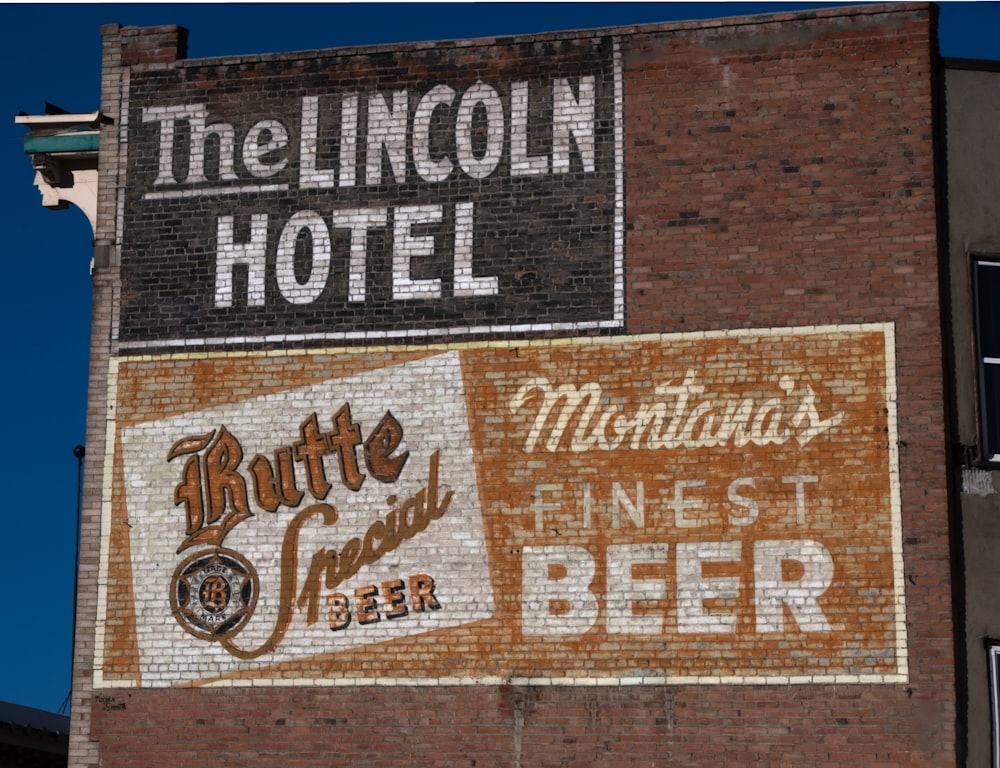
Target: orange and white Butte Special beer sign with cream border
[703, 507]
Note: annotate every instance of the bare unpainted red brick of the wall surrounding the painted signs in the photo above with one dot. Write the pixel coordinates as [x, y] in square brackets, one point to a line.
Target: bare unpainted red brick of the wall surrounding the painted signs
[778, 173]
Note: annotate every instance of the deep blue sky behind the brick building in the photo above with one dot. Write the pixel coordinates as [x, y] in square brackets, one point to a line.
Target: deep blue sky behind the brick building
[52, 52]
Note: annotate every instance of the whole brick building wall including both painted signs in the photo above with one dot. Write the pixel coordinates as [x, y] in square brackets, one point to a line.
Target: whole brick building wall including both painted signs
[339, 482]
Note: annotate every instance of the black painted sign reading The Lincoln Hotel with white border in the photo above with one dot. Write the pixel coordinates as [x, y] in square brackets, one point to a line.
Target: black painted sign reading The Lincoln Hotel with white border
[450, 198]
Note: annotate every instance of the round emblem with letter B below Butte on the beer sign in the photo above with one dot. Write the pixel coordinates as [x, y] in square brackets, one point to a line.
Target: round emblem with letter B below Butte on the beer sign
[213, 594]
